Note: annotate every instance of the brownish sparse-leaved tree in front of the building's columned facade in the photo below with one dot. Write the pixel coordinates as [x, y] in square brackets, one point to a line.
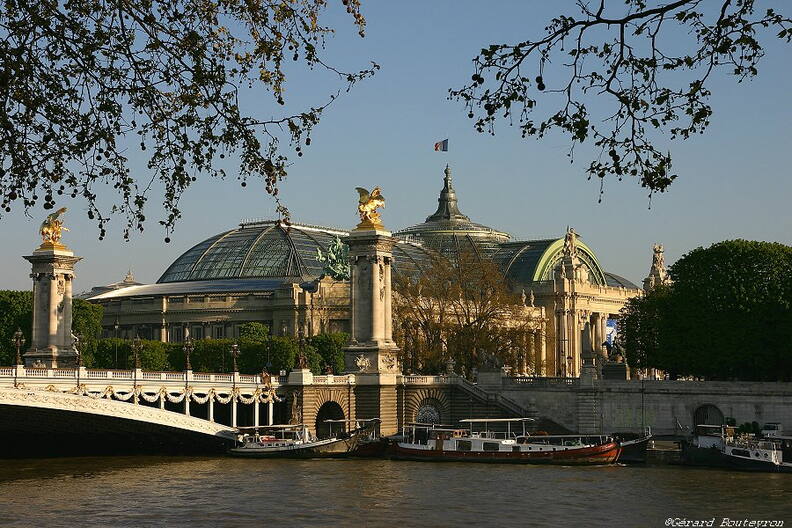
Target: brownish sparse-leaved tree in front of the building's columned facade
[462, 311]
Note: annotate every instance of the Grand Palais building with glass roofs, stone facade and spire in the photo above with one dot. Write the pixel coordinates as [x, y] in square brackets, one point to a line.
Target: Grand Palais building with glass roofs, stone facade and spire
[266, 272]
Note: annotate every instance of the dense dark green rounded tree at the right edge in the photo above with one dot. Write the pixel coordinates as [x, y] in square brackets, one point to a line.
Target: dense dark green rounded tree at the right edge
[728, 315]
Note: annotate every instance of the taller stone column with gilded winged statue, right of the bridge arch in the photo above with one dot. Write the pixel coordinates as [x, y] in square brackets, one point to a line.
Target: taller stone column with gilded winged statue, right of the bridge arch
[372, 355]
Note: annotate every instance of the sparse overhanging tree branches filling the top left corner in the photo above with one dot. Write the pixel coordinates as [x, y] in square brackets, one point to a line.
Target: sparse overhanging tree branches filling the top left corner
[84, 83]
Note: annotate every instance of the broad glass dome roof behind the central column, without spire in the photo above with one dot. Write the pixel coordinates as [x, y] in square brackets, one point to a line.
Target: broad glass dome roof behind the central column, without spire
[270, 249]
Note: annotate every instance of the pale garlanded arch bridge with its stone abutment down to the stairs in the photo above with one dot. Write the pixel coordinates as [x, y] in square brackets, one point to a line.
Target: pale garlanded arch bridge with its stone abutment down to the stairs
[70, 410]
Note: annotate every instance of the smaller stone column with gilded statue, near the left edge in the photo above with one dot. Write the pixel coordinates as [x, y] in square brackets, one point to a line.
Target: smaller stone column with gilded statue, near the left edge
[52, 343]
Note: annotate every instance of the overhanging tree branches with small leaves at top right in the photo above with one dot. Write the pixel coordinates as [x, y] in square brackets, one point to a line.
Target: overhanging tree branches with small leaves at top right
[631, 60]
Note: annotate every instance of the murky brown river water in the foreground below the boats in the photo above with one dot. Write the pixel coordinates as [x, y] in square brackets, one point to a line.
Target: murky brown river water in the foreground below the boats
[159, 491]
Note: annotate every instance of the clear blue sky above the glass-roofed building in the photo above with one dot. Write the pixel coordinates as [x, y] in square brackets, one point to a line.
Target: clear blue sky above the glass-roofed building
[734, 182]
